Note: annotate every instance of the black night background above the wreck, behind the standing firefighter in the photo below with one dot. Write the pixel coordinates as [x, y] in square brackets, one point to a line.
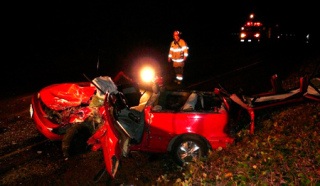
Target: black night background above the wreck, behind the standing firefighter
[58, 41]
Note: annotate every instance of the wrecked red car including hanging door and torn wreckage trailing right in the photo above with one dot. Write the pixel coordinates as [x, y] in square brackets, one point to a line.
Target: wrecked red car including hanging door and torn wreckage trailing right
[185, 123]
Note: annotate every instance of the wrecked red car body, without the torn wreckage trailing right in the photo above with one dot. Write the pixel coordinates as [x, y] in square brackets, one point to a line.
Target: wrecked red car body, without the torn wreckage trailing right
[162, 121]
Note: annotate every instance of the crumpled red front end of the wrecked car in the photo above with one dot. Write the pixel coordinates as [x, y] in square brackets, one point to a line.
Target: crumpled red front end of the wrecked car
[70, 112]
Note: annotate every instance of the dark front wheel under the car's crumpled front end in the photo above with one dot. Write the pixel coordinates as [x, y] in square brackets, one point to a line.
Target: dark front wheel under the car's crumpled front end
[75, 140]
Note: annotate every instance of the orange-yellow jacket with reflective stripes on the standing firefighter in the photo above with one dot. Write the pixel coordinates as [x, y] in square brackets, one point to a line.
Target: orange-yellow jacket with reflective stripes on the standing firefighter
[178, 50]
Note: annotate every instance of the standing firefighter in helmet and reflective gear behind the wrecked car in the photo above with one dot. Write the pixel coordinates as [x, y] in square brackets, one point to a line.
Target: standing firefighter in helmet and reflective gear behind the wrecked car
[178, 54]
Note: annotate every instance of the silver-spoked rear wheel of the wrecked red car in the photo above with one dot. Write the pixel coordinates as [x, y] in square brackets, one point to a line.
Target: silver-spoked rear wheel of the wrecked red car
[187, 149]
